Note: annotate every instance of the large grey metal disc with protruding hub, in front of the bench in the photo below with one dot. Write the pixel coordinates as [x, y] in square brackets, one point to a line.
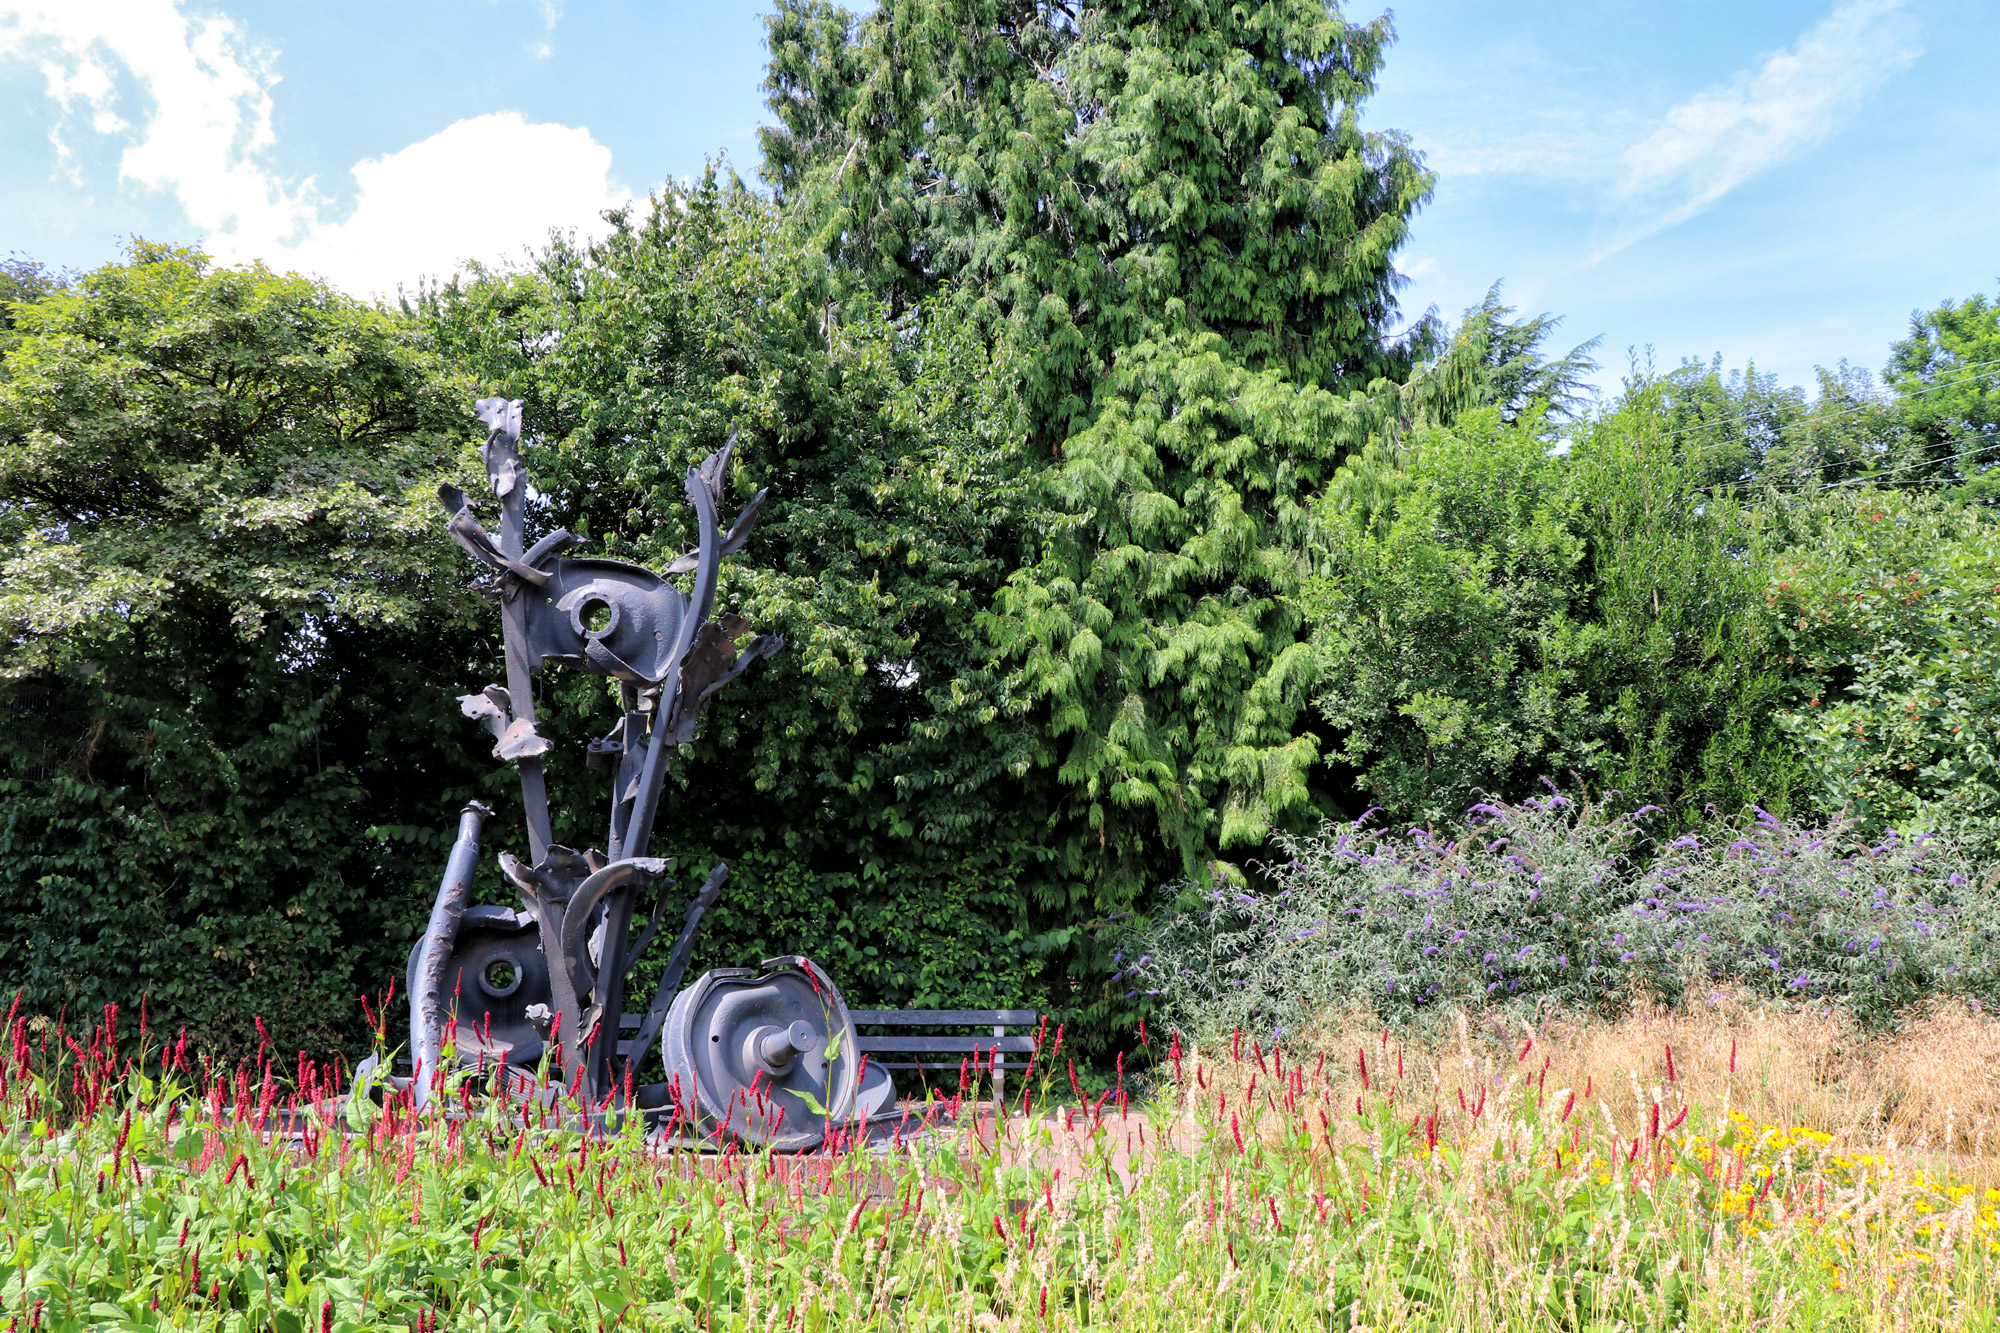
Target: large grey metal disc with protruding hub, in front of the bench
[765, 1056]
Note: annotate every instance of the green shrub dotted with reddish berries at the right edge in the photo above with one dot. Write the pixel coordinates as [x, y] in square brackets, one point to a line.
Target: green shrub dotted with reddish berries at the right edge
[1887, 607]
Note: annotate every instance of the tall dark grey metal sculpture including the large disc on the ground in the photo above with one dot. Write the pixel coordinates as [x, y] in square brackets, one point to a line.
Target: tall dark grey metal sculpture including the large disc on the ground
[767, 1056]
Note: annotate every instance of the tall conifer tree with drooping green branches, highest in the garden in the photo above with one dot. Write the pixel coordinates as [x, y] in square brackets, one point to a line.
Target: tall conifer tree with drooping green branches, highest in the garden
[1175, 219]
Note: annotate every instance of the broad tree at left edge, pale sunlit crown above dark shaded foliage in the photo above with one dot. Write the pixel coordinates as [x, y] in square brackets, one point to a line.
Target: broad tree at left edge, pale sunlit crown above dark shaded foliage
[221, 639]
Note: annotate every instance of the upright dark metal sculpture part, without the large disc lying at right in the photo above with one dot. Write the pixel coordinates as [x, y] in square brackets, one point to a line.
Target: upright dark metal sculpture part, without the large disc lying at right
[507, 988]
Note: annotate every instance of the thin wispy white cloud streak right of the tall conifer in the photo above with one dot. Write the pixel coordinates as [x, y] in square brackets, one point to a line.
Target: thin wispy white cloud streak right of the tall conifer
[1795, 99]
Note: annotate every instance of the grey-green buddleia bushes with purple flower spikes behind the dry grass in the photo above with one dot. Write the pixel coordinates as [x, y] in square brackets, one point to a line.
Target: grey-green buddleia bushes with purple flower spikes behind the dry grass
[1557, 906]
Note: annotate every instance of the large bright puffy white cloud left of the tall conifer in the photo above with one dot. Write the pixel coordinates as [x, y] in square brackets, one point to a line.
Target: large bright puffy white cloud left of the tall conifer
[201, 95]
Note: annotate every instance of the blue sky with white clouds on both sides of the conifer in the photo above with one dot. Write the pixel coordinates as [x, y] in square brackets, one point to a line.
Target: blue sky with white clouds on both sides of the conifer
[1777, 183]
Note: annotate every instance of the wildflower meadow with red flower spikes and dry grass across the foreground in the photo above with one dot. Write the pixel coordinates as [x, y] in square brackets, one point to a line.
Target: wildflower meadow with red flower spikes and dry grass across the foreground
[1497, 1180]
